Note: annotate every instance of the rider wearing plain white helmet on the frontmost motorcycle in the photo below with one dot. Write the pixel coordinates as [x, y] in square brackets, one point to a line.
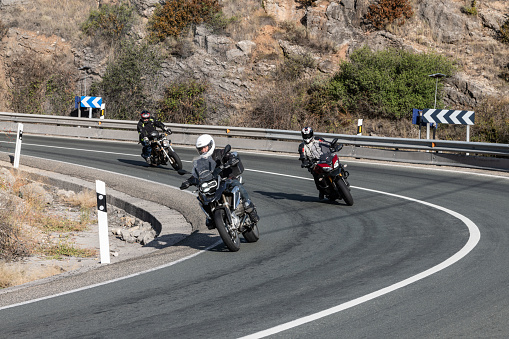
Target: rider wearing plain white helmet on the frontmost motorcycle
[207, 148]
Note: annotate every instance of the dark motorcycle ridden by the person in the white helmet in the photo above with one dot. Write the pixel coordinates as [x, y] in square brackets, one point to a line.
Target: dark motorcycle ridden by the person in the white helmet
[224, 200]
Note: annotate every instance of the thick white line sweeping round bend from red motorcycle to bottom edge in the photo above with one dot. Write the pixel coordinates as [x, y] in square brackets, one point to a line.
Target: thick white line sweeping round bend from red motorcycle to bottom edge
[473, 239]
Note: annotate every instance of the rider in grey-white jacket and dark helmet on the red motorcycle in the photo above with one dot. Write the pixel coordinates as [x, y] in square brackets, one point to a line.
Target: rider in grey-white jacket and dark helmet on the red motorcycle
[310, 151]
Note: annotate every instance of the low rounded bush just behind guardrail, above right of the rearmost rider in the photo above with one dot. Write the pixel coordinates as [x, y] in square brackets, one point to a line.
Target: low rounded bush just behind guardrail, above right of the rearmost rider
[184, 103]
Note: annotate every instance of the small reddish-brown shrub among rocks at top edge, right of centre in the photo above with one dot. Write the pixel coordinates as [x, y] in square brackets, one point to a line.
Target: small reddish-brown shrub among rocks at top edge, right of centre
[386, 12]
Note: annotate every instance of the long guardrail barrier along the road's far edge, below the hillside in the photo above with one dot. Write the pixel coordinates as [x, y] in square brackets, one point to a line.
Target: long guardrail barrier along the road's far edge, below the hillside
[438, 152]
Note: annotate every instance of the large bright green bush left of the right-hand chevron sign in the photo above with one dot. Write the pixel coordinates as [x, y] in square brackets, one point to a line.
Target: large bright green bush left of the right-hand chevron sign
[387, 83]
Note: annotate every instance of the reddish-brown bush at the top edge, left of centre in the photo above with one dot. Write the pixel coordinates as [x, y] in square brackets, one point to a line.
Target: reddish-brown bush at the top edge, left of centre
[174, 16]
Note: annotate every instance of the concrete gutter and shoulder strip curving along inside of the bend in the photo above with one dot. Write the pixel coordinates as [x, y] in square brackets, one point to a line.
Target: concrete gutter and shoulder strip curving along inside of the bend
[172, 214]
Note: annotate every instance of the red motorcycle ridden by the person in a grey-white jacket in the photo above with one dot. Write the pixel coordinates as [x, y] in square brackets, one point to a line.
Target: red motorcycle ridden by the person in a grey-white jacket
[332, 176]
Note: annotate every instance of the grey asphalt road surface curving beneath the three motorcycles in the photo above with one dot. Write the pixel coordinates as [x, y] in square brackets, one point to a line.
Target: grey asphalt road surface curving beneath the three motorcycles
[422, 253]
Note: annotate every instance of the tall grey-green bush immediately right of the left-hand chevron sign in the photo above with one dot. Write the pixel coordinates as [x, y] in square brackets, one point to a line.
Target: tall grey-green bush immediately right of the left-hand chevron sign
[127, 79]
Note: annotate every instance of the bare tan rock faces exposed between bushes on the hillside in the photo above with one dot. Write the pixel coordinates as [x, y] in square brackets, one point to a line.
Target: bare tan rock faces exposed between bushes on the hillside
[235, 69]
